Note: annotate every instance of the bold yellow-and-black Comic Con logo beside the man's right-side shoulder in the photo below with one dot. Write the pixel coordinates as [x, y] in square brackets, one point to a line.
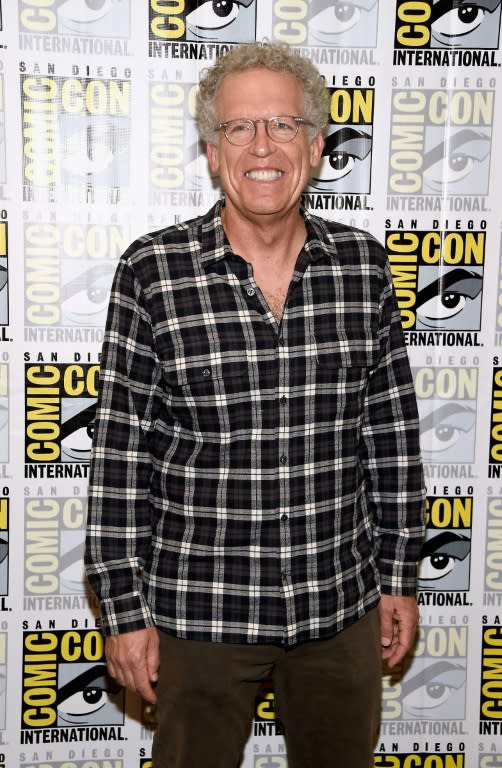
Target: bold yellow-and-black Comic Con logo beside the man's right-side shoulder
[438, 278]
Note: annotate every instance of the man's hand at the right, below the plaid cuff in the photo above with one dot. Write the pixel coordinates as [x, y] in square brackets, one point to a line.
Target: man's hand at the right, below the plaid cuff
[398, 625]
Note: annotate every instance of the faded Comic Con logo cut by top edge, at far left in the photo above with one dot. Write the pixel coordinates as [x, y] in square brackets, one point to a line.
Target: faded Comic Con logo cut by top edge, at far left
[110, 18]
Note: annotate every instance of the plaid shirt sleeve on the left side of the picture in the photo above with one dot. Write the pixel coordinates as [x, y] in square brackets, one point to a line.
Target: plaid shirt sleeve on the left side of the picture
[119, 536]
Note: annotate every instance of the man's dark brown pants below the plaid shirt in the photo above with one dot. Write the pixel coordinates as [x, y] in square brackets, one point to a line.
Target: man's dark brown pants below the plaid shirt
[327, 696]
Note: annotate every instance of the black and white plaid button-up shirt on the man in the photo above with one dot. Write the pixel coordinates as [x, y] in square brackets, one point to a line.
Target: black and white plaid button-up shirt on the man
[252, 481]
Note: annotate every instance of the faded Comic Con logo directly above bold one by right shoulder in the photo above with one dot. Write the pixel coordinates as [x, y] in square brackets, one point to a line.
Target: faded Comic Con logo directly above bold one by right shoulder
[440, 142]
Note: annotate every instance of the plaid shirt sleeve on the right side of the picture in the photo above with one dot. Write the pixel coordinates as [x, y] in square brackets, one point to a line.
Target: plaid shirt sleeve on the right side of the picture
[391, 456]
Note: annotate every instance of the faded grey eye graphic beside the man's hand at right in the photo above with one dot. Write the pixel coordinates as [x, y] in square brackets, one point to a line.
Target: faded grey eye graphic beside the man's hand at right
[432, 688]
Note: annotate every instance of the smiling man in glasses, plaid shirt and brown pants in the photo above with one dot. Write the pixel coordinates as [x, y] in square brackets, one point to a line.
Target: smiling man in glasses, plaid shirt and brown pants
[256, 498]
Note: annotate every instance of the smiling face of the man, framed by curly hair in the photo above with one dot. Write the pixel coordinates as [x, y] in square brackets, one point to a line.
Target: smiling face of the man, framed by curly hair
[263, 178]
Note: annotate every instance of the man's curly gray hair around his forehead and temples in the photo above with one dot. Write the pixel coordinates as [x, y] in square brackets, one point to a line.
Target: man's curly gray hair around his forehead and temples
[278, 57]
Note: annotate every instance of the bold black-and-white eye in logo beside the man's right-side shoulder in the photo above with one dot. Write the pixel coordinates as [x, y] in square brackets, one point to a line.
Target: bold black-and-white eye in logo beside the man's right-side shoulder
[447, 296]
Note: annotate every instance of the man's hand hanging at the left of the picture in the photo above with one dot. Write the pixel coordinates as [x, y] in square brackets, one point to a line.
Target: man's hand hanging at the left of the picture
[133, 660]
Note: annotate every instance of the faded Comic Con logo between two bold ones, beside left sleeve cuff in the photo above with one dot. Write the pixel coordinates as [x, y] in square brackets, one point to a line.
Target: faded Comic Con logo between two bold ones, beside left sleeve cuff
[54, 534]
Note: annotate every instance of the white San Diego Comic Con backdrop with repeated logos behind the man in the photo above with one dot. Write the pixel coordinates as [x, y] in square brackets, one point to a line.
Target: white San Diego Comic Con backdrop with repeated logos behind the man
[98, 144]
